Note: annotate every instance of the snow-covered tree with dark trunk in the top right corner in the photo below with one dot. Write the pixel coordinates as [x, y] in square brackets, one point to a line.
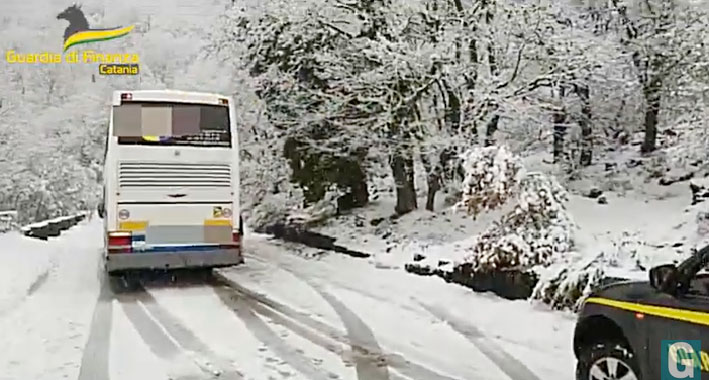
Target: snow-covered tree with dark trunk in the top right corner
[665, 41]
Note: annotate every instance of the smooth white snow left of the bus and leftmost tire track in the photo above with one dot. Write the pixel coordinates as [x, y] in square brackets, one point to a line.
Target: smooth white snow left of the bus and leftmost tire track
[52, 322]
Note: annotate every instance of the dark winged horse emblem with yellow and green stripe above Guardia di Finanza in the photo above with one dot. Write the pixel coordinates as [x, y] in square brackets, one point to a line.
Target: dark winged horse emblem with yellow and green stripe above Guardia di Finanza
[79, 32]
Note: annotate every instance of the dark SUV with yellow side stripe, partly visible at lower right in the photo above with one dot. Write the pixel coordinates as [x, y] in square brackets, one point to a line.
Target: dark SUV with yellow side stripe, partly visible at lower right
[621, 326]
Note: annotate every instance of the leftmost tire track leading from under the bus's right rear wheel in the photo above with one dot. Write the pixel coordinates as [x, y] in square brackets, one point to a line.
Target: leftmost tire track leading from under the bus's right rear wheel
[267, 336]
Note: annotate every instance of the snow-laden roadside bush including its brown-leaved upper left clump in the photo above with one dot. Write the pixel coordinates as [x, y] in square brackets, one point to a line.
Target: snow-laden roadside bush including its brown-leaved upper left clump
[535, 231]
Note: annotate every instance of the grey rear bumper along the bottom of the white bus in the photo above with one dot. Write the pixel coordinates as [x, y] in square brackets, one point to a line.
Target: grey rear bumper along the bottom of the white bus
[173, 260]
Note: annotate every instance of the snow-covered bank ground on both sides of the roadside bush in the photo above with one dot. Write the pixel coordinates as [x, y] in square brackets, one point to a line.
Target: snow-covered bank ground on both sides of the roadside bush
[642, 224]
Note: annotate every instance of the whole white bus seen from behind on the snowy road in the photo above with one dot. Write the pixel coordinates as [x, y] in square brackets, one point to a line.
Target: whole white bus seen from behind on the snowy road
[171, 182]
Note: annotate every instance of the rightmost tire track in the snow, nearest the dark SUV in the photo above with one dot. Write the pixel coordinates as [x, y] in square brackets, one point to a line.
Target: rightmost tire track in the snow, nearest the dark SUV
[512, 367]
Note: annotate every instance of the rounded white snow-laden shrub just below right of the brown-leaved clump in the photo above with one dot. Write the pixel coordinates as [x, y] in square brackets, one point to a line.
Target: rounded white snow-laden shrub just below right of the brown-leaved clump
[537, 230]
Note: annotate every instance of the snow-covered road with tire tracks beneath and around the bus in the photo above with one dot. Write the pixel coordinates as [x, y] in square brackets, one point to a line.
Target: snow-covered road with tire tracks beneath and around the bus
[279, 316]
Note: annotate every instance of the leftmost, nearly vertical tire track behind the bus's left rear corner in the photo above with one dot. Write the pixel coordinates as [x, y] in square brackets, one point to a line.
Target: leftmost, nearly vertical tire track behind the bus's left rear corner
[94, 362]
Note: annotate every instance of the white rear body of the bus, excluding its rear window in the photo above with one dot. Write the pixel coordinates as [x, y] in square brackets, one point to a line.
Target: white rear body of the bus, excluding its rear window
[173, 206]
